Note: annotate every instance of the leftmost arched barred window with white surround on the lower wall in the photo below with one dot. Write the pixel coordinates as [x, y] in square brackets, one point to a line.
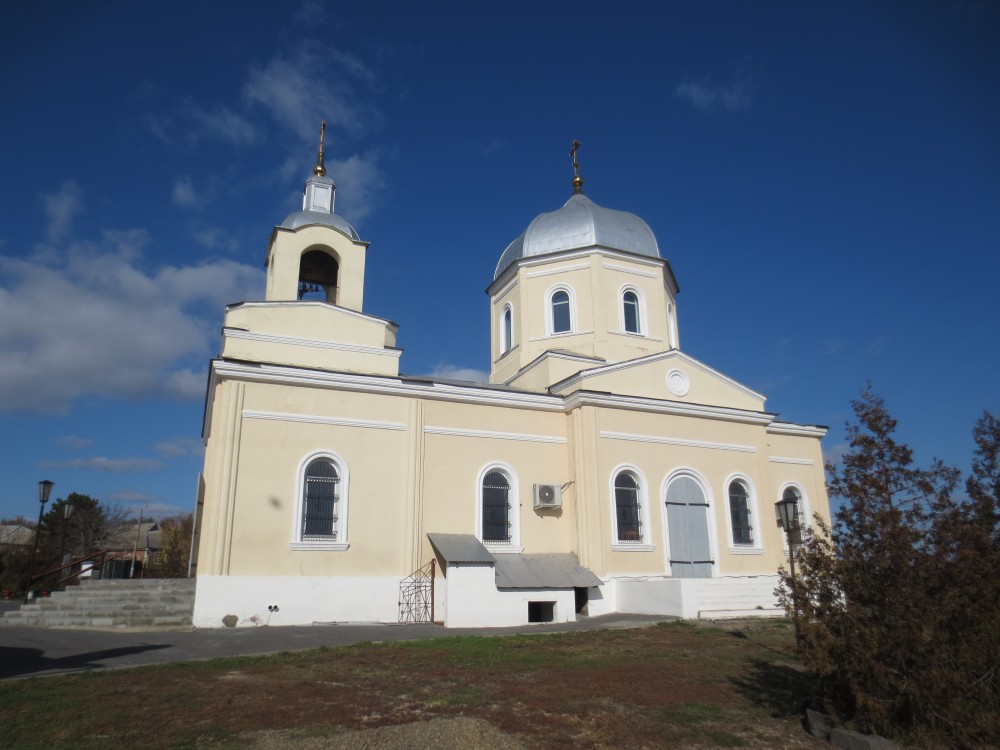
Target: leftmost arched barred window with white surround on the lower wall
[321, 504]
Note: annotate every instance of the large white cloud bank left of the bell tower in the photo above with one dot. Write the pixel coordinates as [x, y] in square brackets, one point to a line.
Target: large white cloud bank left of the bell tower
[99, 323]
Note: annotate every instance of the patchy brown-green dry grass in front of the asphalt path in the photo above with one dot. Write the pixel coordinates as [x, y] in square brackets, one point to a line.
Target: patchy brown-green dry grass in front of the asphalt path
[677, 685]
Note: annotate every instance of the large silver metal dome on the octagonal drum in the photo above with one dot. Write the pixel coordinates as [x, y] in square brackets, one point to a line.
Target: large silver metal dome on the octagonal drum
[581, 223]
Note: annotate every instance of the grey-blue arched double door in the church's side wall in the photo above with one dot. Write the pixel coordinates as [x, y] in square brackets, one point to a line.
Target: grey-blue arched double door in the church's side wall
[687, 530]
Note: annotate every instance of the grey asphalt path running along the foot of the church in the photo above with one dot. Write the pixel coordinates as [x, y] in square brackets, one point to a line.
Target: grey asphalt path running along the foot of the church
[30, 652]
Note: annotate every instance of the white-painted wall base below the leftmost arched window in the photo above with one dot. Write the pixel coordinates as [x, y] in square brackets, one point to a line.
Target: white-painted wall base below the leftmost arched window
[300, 600]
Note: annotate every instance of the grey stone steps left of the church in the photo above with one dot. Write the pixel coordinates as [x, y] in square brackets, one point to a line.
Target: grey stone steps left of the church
[110, 604]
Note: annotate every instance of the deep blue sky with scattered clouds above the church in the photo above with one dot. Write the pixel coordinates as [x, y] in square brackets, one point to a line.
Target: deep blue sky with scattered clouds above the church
[823, 177]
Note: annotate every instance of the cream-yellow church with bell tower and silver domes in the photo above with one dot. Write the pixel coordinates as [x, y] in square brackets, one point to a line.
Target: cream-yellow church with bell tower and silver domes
[600, 470]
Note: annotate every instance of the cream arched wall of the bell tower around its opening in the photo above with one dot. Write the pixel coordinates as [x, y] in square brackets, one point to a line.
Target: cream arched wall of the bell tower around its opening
[284, 256]
